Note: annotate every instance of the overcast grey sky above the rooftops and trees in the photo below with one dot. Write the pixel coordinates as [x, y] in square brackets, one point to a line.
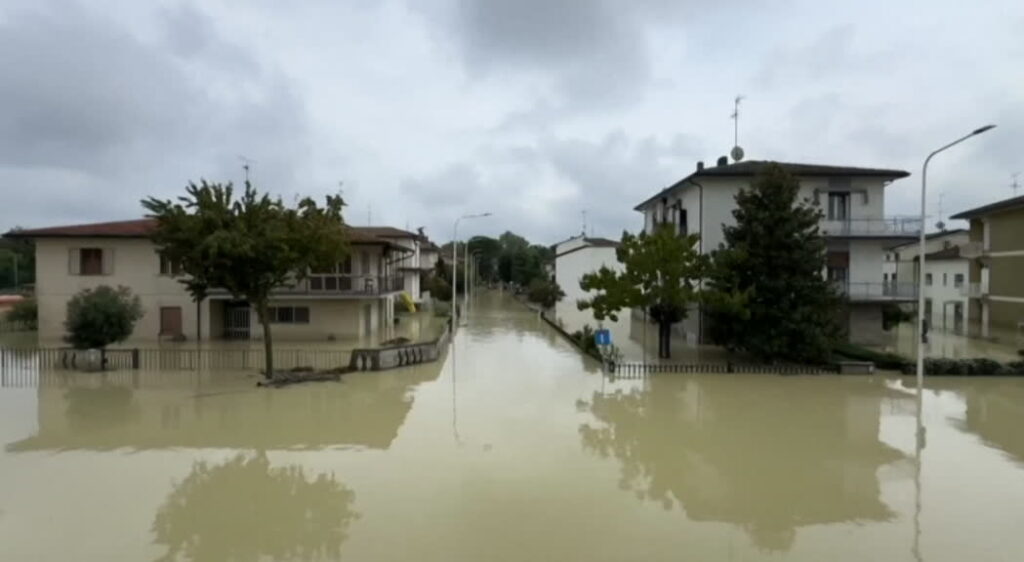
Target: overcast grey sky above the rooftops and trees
[533, 110]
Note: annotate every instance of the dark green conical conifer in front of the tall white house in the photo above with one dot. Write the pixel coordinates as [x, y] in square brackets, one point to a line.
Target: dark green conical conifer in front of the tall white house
[774, 261]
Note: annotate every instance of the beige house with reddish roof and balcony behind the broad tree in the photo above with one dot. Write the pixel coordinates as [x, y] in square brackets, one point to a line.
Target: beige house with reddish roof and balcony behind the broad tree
[353, 301]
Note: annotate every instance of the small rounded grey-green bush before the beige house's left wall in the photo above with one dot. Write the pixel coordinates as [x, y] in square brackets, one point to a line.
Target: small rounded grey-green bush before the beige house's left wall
[101, 317]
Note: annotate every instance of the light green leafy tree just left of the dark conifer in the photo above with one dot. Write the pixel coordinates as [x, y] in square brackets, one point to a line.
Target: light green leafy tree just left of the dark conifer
[661, 276]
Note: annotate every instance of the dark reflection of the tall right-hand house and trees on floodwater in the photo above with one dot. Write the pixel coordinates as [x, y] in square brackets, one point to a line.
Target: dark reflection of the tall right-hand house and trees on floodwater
[771, 455]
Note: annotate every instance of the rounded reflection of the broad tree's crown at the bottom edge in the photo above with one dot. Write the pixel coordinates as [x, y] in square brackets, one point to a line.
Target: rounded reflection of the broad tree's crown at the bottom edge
[246, 510]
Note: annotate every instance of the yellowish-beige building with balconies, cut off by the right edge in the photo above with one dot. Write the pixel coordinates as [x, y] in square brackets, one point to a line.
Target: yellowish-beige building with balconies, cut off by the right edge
[996, 284]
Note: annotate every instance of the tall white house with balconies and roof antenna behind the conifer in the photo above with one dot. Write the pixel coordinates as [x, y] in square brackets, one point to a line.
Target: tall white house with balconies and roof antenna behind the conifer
[855, 225]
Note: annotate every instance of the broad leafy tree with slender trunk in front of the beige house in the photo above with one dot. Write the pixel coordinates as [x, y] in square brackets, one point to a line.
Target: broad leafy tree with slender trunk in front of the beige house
[248, 246]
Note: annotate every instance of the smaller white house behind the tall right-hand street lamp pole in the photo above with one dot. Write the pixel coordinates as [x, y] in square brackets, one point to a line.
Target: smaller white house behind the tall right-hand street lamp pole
[947, 272]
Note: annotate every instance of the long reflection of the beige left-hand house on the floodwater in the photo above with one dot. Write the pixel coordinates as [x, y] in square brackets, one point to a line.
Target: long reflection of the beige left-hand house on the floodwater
[156, 411]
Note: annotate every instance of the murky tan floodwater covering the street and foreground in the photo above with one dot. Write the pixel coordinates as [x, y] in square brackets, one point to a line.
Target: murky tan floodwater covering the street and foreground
[515, 448]
